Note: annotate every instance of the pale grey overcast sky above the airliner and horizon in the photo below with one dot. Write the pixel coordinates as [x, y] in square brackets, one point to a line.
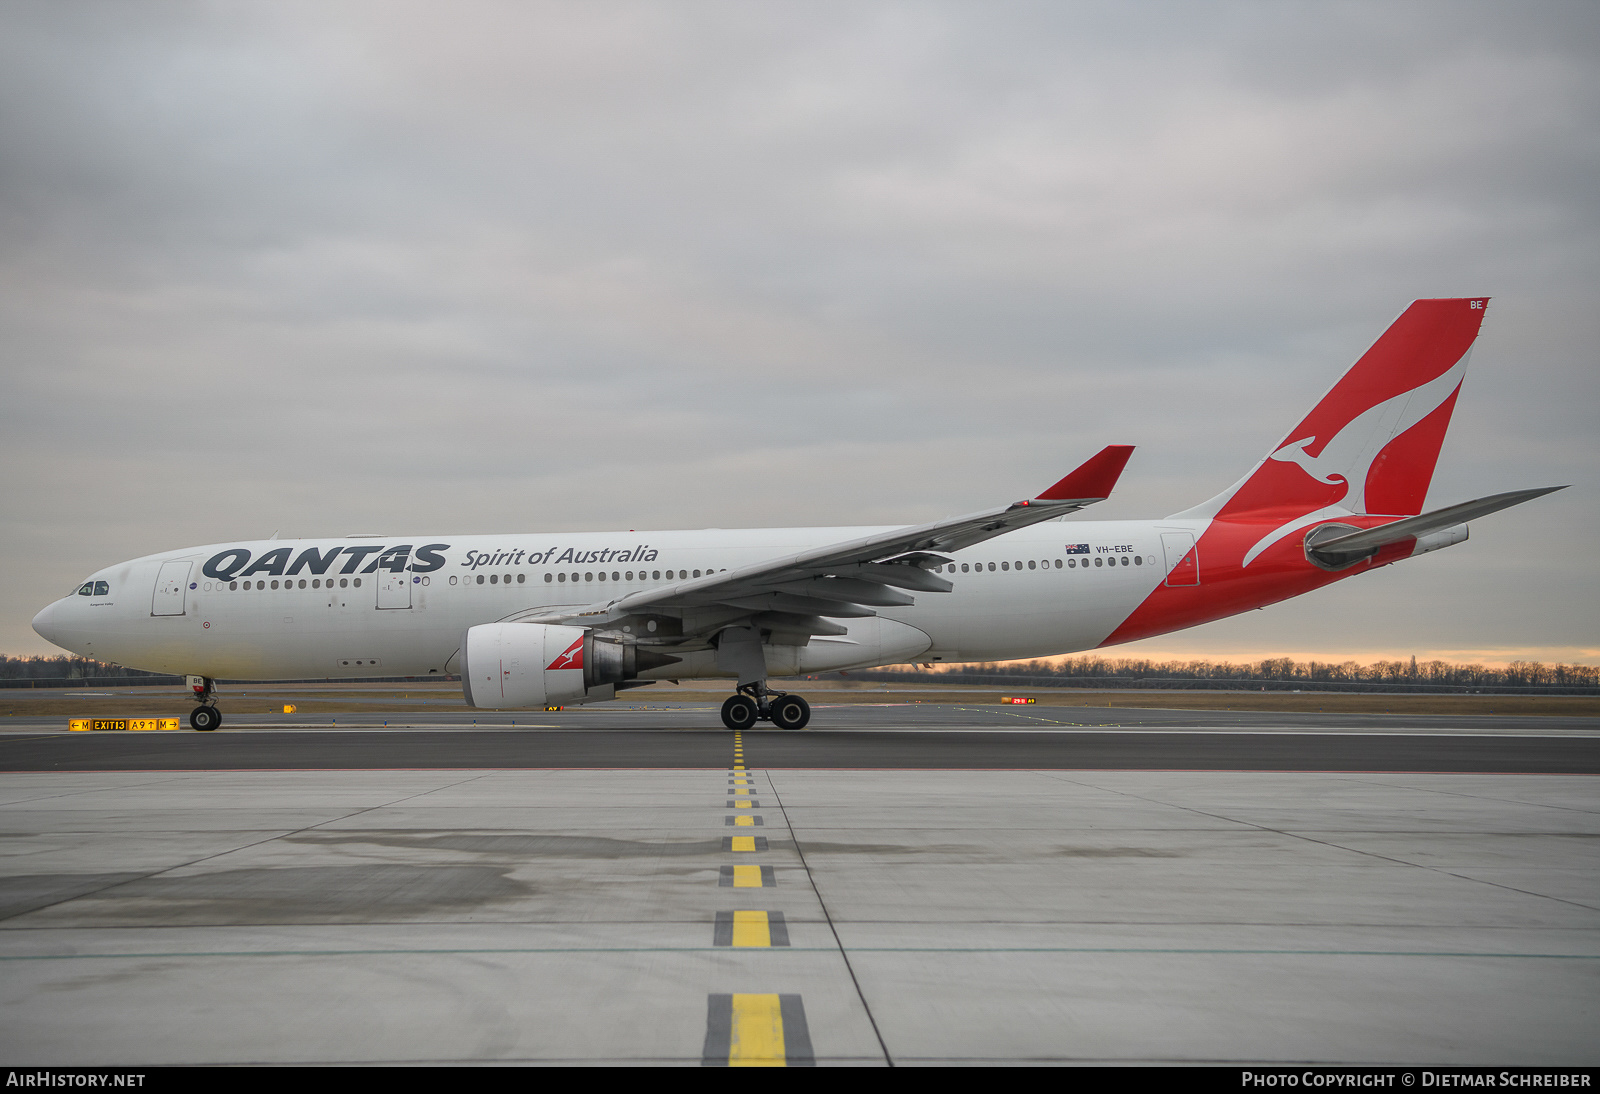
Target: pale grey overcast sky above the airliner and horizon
[340, 268]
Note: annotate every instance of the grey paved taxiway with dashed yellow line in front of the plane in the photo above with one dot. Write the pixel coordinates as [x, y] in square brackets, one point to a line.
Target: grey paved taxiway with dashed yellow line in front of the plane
[900, 887]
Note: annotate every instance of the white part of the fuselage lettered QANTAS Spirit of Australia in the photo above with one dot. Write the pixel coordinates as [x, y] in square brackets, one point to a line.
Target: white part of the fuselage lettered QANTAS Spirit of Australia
[375, 612]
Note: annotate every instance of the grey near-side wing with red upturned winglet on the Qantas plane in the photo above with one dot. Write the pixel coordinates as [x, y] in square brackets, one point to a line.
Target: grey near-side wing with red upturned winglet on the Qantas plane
[796, 596]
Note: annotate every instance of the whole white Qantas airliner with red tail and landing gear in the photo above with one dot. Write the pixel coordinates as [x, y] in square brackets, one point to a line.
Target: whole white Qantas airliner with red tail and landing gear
[537, 620]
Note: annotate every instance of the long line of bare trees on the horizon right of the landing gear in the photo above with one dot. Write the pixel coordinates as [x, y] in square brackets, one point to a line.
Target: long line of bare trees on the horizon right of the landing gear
[1274, 674]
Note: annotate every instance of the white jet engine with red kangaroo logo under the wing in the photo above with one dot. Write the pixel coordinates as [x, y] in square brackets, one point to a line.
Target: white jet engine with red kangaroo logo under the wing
[508, 666]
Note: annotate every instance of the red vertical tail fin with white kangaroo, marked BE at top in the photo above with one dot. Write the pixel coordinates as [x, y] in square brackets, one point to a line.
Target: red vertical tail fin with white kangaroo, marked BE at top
[1370, 445]
